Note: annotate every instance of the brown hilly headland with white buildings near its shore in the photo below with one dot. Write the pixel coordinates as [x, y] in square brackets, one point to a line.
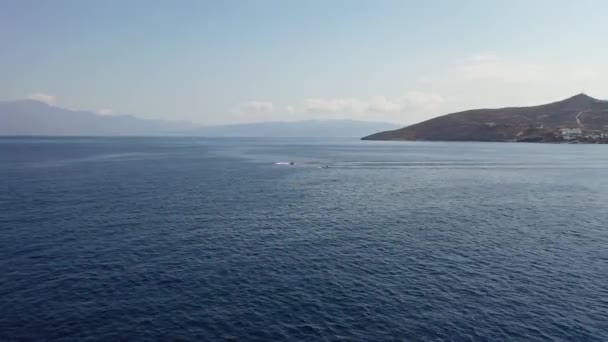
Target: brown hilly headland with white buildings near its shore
[579, 119]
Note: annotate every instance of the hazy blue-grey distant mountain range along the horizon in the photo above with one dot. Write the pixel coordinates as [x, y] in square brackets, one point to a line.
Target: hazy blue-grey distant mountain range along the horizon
[29, 117]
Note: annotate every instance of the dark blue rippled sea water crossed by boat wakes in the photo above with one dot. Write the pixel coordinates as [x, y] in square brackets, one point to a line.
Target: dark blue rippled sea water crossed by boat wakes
[203, 239]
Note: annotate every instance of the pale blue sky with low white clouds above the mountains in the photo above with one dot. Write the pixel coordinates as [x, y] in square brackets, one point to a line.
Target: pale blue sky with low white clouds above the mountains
[224, 61]
